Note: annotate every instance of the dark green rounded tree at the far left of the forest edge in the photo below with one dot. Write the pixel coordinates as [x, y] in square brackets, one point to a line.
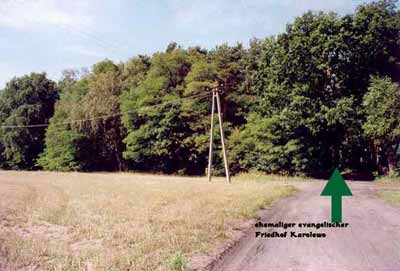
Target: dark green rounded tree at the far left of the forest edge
[28, 100]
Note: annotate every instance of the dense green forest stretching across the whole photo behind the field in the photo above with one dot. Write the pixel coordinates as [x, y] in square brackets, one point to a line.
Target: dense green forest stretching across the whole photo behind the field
[324, 93]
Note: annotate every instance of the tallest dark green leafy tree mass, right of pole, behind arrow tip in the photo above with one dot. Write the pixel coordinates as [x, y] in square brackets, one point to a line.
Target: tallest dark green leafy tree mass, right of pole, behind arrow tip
[311, 82]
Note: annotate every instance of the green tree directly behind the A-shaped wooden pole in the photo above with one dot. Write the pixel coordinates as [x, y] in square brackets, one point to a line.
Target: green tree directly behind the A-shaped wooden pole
[231, 68]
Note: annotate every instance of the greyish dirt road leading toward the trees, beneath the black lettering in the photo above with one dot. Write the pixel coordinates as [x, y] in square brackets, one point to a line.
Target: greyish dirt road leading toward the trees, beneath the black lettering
[370, 242]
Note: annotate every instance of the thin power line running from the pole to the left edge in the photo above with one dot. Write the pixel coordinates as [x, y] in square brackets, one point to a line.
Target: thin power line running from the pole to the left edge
[200, 96]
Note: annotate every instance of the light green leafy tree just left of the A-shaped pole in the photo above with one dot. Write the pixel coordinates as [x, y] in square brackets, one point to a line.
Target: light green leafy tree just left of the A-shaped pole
[156, 135]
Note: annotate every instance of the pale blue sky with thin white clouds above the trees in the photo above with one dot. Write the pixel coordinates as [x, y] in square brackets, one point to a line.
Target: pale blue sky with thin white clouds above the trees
[53, 35]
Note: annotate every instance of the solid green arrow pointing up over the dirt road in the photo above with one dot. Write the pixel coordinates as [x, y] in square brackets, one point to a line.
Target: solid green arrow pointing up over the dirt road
[336, 188]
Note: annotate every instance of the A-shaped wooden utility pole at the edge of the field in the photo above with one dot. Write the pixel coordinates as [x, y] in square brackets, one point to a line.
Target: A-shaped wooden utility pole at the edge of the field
[215, 97]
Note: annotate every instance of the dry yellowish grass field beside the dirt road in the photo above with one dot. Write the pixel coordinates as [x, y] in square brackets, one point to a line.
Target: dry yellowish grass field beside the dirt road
[77, 221]
